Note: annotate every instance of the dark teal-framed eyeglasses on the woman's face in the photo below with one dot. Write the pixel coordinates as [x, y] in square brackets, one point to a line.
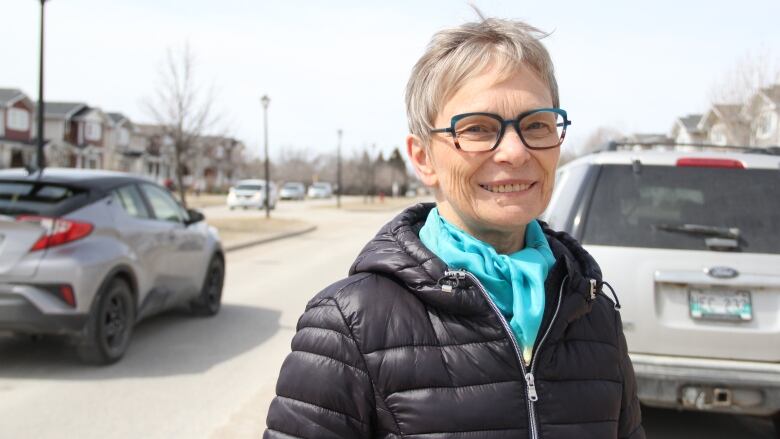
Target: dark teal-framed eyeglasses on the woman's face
[543, 128]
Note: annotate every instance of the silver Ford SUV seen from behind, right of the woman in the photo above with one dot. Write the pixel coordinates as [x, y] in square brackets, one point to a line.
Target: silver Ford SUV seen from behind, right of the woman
[690, 243]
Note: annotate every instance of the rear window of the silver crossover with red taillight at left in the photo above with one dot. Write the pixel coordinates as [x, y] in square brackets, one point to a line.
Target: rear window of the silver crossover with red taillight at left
[38, 198]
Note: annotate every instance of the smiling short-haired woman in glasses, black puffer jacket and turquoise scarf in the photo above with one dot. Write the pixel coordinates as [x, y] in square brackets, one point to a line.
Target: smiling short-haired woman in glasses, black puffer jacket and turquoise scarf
[470, 318]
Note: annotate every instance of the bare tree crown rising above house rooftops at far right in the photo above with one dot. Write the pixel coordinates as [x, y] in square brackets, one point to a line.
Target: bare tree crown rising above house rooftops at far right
[750, 73]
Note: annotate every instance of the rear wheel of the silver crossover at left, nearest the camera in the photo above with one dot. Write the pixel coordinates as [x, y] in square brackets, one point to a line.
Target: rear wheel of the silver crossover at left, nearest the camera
[110, 325]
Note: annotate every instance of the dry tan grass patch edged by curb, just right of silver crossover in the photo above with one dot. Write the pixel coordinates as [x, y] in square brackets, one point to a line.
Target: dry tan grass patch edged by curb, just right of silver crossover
[238, 233]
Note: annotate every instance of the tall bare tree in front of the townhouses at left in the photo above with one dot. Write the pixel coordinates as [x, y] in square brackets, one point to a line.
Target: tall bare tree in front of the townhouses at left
[182, 108]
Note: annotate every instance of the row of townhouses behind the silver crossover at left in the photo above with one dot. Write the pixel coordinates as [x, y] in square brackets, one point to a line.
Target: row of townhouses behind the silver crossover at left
[82, 136]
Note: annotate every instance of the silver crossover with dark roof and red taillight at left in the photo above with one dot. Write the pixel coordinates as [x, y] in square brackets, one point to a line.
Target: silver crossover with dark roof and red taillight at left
[88, 254]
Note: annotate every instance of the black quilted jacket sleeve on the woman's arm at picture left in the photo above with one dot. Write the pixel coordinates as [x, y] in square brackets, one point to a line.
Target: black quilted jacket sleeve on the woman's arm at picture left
[323, 389]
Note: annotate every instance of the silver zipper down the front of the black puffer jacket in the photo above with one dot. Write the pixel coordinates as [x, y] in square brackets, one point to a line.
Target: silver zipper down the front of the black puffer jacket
[528, 376]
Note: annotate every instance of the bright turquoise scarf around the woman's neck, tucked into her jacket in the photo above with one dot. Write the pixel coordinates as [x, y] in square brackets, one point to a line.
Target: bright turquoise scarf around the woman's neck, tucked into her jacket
[514, 282]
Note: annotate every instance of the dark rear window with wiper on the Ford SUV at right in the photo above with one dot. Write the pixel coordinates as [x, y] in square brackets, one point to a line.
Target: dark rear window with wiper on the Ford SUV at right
[639, 209]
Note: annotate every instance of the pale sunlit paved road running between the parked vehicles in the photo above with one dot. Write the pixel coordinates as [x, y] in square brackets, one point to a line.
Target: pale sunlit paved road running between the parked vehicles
[186, 377]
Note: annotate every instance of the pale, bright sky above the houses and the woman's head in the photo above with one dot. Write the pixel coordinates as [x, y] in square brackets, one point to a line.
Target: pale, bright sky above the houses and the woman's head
[632, 65]
